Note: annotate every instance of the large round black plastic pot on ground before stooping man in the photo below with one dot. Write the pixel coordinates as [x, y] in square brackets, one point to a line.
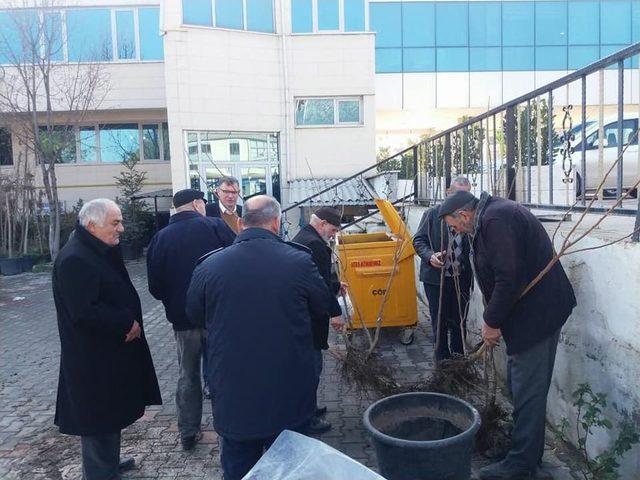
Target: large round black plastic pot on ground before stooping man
[423, 436]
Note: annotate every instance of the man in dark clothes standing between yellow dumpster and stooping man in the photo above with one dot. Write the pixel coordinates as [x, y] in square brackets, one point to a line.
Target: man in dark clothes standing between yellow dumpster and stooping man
[437, 250]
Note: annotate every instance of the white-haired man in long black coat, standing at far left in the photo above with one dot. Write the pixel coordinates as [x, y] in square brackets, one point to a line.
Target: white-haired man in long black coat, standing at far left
[106, 371]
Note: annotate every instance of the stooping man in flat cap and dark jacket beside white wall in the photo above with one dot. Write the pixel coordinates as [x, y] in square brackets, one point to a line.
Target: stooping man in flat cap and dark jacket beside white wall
[510, 248]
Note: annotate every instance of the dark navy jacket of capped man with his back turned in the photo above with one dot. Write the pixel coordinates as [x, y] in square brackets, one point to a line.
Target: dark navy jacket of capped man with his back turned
[172, 256]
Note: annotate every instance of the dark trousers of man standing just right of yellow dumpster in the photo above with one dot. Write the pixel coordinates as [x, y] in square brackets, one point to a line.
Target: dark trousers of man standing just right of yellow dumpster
[448, 339]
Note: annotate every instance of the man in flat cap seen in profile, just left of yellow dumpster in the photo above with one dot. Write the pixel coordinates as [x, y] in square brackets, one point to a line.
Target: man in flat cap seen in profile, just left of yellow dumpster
[322, 228]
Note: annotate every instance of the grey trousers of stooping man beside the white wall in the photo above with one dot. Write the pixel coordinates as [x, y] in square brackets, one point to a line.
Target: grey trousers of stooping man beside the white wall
[529, 377]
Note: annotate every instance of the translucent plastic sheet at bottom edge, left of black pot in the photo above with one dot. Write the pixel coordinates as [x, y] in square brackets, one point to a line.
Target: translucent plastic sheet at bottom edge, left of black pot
[296, 457]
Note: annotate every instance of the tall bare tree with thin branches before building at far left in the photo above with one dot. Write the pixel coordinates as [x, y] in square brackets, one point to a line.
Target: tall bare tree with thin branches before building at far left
[43, 96]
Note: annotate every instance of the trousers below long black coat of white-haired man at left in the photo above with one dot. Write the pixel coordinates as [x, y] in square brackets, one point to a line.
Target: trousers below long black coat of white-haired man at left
[100, 456]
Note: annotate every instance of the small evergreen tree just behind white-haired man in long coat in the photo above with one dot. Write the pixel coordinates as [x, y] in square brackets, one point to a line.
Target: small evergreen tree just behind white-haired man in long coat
[133, 210]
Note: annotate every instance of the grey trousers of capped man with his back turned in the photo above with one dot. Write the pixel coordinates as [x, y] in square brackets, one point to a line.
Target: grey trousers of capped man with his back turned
[189, 393]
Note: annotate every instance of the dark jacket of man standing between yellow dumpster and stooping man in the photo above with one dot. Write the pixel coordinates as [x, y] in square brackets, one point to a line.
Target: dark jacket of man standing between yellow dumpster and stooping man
[433, 236]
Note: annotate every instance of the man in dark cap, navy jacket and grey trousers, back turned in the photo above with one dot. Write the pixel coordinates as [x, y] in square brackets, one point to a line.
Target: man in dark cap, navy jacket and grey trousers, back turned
[171, 257]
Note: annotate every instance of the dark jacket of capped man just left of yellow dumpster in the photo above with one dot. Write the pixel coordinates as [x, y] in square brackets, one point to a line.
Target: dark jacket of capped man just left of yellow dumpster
[321, 254]
